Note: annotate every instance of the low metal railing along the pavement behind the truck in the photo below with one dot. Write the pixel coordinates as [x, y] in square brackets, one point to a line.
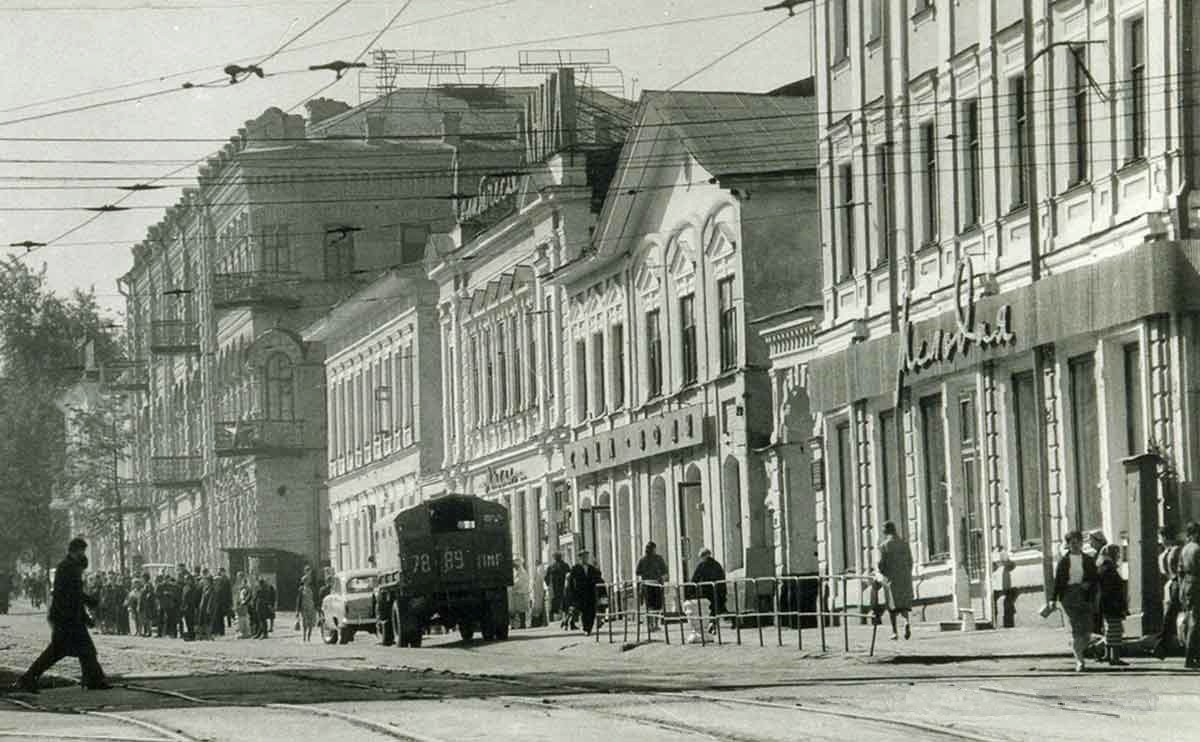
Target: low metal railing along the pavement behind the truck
[639, 607]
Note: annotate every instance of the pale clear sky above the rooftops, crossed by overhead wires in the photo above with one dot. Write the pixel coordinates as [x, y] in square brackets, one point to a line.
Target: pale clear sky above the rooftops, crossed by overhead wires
[62, 49]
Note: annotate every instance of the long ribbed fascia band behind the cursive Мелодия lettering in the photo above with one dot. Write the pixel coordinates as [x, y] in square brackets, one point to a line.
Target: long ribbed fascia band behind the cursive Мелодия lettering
[1155, 279]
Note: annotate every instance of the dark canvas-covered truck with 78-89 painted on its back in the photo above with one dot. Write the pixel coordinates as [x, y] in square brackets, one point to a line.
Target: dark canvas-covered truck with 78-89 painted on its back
[455, 570]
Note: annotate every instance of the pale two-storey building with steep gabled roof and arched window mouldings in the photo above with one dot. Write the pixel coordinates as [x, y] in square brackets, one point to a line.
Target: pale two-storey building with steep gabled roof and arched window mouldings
[669, 394]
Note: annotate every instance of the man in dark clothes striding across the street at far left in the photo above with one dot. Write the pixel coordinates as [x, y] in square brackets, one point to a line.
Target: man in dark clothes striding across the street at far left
[69, 625]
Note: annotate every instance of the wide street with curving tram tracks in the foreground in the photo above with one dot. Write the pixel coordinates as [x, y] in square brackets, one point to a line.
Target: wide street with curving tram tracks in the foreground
[547, 684]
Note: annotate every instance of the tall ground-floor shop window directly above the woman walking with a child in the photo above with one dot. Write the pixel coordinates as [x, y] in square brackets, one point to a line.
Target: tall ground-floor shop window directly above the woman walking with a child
[1085, 441]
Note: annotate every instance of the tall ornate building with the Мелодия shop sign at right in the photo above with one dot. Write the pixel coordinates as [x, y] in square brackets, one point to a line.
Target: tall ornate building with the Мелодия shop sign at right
[1010, 285]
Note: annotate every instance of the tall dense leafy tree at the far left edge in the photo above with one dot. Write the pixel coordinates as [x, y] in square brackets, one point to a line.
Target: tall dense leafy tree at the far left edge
[41, 336]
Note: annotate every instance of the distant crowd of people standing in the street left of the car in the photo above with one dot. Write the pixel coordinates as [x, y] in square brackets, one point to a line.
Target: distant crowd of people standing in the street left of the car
[190, 605]
